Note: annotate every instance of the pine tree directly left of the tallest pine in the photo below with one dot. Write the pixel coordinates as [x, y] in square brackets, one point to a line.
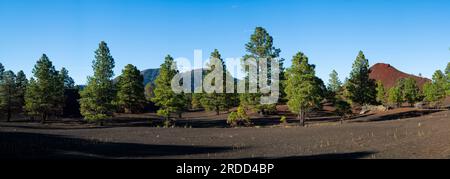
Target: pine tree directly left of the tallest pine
[216, 101]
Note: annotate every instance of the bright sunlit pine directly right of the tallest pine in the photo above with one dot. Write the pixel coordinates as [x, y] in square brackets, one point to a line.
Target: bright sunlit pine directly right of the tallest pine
[302, 88]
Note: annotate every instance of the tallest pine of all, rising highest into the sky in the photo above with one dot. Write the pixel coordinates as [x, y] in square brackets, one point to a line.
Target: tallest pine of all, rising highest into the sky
[261, 47]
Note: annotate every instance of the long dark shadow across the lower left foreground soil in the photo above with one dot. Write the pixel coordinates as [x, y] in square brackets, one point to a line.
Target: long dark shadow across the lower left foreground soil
[17, 145]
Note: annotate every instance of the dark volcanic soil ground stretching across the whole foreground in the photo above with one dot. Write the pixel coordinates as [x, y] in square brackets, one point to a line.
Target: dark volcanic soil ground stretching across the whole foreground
[424, 135]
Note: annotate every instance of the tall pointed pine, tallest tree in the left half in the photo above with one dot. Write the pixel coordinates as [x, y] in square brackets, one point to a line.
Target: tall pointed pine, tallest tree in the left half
[96, 99]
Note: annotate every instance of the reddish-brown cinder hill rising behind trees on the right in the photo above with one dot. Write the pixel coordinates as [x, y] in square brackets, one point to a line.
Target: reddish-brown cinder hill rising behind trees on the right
[389, 75]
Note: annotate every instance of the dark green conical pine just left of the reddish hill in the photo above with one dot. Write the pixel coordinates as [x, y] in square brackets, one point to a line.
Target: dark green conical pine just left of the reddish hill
[360, 87]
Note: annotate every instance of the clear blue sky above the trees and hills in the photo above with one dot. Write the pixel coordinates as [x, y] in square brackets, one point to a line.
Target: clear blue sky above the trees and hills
[412, 35]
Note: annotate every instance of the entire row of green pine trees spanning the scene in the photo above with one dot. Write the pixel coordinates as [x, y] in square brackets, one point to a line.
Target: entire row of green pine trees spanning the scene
[44, 94]
